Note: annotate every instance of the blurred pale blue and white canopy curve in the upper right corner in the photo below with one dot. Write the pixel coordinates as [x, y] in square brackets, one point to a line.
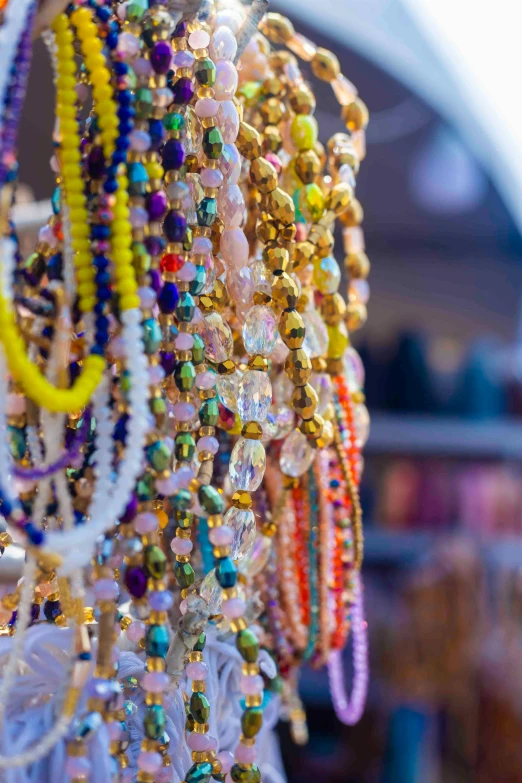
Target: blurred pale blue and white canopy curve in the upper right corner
[463, 58]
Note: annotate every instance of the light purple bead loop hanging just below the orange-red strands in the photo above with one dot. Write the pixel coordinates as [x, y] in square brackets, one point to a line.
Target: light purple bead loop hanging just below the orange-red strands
[350, 709]
